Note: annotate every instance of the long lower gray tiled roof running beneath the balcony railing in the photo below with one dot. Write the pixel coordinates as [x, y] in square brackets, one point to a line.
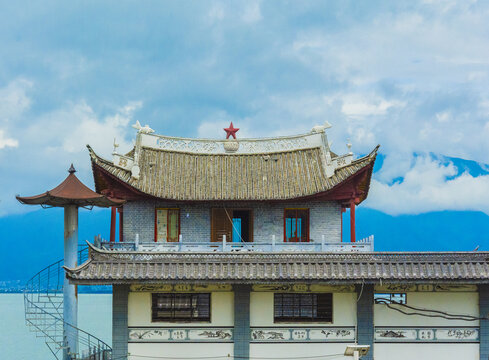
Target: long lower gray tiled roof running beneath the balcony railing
[110, 267]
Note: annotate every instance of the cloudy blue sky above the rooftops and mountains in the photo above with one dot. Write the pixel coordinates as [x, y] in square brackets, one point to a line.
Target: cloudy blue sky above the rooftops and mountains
[412, 76]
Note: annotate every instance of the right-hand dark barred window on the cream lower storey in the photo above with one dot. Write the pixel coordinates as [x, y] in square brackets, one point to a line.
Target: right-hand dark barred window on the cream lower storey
[303, 307]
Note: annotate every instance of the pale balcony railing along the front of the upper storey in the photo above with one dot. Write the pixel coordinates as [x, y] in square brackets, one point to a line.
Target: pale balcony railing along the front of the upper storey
[363, 245]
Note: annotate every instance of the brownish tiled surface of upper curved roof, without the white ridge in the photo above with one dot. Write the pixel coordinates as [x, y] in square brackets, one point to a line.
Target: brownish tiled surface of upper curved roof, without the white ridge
[191, 176]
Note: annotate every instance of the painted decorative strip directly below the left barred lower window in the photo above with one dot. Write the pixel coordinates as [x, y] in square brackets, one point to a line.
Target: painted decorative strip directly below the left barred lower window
[207, 334]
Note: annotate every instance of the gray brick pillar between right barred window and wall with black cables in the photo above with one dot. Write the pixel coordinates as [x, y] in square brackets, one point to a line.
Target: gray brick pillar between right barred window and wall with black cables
[365, 318]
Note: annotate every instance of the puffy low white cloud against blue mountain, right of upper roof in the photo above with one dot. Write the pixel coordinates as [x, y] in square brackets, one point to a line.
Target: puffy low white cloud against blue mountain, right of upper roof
[430, 185]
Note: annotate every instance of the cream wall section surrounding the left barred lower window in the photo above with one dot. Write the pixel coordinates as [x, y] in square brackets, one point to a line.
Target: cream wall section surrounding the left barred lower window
[222, 311]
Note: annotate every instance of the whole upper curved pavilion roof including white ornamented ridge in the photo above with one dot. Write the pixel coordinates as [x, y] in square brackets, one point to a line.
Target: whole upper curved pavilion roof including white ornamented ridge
[178, 169]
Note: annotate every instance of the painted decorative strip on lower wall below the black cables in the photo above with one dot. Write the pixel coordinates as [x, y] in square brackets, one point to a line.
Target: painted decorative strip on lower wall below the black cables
[445, 335]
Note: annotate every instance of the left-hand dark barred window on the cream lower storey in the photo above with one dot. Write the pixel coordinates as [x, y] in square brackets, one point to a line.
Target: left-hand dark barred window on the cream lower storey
[181, 307]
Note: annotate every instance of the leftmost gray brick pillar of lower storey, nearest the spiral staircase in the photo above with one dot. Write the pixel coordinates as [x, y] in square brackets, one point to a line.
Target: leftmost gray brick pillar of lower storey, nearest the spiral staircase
[120, 294]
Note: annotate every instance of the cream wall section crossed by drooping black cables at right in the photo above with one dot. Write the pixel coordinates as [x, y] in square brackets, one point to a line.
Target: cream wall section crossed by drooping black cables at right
[466, 303]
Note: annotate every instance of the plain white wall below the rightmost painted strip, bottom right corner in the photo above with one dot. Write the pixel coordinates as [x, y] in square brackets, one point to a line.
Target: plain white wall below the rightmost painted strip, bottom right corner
[426, 351]
